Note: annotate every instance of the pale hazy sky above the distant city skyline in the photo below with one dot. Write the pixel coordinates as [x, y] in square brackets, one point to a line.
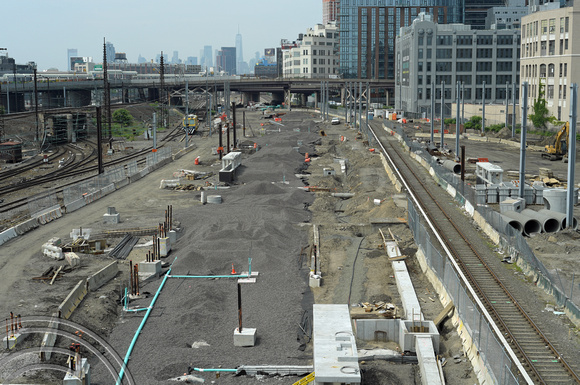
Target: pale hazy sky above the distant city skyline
[42, 30]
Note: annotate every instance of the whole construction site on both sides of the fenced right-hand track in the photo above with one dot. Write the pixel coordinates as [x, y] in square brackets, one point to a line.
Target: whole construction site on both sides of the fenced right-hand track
[294, 258]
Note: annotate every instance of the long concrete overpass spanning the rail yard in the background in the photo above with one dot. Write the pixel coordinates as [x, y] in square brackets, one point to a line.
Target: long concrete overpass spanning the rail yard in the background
[71, 92]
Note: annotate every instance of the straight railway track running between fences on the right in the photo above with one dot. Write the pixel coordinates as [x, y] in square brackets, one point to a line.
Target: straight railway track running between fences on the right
[538, 355]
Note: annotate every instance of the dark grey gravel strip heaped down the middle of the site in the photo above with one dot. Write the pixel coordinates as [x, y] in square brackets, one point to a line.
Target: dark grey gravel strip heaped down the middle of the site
[261, 218]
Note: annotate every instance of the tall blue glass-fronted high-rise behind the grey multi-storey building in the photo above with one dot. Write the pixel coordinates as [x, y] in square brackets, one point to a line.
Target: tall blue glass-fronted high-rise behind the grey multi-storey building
[368, 29]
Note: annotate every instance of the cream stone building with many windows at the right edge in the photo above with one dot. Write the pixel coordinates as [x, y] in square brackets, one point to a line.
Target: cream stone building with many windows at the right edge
[550, 55]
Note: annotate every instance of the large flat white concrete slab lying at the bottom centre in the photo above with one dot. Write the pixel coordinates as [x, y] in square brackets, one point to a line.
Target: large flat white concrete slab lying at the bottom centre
[335, 352]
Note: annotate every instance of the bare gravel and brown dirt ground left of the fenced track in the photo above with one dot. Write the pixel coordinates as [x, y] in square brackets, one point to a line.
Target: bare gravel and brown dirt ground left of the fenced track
[265, 215]
